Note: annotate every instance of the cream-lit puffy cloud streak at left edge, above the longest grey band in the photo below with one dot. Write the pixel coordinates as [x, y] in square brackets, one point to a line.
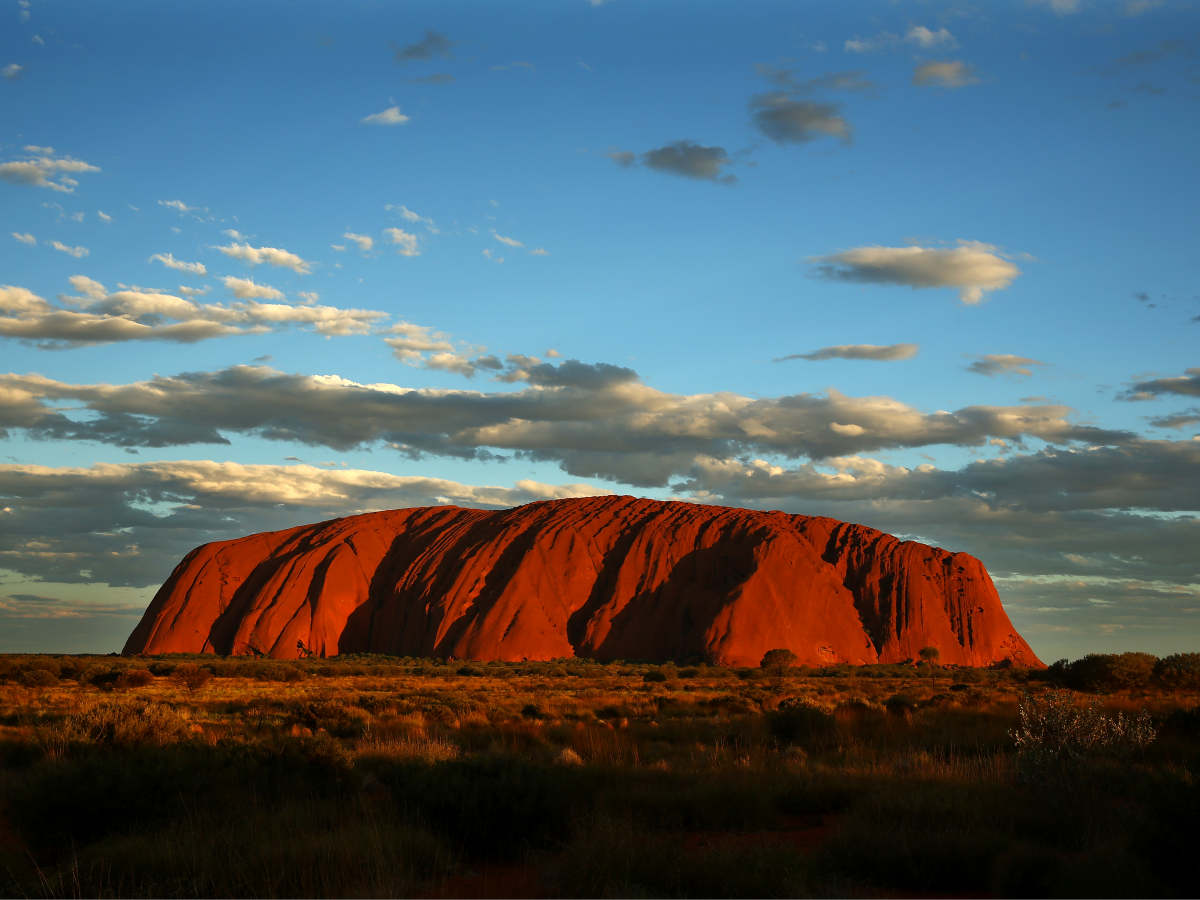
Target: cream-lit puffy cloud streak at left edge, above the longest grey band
[95, 316]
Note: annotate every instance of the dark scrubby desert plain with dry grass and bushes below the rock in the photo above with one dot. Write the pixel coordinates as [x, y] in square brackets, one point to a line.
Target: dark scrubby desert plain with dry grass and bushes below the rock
[380, 777]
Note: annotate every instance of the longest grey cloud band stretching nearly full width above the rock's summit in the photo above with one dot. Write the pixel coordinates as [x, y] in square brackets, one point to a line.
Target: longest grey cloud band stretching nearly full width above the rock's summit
[593, 419]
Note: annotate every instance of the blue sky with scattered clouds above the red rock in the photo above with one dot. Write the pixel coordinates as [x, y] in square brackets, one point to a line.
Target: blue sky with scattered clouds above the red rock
[927, 267]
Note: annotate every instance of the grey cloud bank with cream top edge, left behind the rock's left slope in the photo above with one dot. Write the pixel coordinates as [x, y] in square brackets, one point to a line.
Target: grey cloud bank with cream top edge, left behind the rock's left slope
[91, 525]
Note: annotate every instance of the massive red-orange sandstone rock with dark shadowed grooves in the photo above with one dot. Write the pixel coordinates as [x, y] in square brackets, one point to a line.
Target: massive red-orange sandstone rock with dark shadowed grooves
[604, 578]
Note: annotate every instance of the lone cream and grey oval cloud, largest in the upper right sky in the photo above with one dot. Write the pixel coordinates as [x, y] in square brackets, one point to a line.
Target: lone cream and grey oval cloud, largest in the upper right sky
[973, 267]
